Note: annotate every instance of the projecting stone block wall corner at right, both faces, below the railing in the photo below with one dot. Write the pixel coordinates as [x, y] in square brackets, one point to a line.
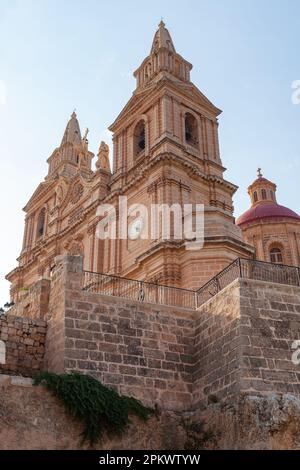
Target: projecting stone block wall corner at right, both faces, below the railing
[244, 339]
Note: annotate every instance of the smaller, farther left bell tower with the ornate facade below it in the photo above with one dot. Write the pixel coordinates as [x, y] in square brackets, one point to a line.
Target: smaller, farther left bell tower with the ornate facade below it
[54, 211]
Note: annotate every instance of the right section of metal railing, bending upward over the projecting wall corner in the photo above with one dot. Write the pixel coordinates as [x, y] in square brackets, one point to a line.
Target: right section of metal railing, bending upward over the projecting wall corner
[249, 269]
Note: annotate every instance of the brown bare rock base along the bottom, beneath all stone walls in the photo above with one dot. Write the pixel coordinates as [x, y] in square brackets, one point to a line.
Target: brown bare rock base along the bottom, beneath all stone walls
[30, 418]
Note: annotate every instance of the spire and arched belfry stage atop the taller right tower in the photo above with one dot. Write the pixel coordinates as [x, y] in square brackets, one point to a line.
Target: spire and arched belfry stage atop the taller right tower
[166, 112]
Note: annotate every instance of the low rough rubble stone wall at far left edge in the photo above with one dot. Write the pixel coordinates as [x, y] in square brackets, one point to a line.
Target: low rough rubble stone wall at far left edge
[23, 345]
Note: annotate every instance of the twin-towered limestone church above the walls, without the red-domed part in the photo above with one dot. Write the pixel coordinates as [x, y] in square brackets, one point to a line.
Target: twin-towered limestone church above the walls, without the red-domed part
[165, 151]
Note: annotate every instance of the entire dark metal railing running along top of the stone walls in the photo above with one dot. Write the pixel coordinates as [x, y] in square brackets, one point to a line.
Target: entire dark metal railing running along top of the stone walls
[142, 291]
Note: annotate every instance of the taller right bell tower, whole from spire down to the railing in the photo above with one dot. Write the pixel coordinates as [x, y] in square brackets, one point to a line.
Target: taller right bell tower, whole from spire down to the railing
[166, 151]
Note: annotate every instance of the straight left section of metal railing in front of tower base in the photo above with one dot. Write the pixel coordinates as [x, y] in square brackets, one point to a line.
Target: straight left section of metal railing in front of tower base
[141, 291]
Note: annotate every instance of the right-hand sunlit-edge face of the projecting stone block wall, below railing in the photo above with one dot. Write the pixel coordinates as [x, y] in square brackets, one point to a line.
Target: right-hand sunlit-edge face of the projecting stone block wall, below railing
[270, 315]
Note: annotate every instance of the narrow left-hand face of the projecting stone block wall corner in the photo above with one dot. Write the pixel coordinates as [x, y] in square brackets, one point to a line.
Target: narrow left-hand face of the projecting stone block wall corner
[216, 354]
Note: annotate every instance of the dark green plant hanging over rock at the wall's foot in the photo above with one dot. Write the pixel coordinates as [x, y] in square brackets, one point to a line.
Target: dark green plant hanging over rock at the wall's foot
[100, 408]
